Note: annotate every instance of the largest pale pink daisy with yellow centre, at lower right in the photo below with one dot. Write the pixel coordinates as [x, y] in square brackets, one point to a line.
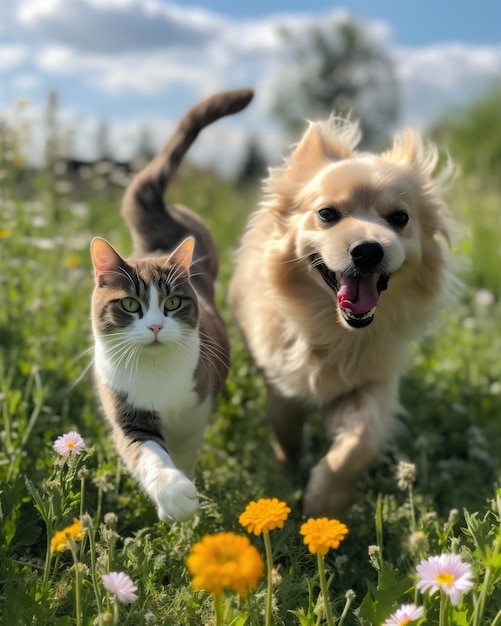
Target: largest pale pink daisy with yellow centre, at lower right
[446, 572]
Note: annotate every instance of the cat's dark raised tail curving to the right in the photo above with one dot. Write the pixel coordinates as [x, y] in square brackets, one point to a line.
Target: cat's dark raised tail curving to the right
[144, 196]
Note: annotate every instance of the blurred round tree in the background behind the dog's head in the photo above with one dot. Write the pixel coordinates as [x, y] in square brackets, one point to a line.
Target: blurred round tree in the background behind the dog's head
[339, 68]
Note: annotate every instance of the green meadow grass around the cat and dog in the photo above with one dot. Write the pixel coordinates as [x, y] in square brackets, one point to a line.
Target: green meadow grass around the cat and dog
[451, 433]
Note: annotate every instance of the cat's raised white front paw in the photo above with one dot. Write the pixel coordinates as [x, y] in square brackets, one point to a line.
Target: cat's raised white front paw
[176, 497]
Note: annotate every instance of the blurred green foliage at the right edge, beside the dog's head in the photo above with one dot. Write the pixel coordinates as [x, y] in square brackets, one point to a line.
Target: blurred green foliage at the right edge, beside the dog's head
[472, 134]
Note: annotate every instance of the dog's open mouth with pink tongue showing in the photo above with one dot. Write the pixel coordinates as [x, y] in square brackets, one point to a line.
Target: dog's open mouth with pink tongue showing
[357, 295]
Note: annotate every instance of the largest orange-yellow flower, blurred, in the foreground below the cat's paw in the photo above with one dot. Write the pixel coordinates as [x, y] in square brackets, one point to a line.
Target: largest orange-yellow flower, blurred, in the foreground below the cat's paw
[225, 561]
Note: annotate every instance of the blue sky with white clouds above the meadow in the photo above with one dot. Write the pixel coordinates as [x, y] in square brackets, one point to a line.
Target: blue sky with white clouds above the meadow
[140, 63]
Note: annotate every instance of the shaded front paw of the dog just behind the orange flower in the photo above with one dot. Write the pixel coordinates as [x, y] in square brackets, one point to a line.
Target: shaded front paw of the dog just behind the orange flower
[327, 494]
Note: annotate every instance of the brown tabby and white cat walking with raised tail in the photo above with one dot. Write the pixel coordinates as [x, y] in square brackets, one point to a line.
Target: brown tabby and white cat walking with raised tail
[161, 351]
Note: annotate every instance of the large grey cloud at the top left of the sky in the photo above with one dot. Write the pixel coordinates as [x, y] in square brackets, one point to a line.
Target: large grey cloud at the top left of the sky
[108, 26]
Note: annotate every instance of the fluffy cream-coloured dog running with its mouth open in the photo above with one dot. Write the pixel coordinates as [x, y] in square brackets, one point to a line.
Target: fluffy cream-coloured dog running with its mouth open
[341, 266]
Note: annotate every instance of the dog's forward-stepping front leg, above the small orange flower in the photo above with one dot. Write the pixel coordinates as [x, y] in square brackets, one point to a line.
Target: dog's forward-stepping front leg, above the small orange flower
[359, 424]
